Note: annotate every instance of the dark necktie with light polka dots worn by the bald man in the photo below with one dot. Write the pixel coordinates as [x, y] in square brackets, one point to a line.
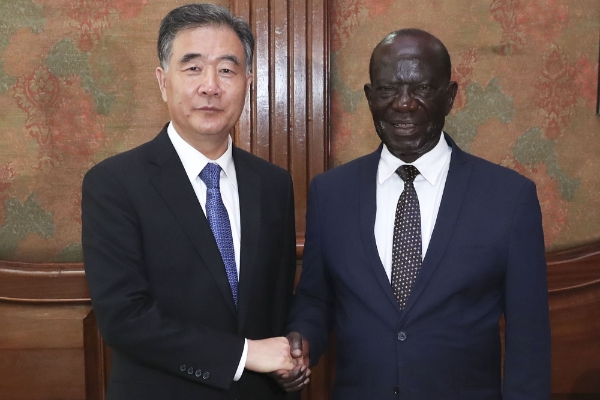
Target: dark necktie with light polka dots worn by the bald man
[406, 251]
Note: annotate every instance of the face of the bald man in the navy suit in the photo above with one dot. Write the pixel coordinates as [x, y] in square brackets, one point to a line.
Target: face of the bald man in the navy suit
[408, 96]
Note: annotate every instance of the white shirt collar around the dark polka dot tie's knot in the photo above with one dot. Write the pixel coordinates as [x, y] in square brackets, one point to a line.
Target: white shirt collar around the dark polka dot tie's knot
[429, 164]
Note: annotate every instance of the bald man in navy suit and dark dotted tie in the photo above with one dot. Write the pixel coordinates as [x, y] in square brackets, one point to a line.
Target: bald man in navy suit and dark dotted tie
[415, 252]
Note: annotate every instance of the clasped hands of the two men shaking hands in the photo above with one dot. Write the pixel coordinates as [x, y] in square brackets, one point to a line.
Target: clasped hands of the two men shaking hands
[284, 358]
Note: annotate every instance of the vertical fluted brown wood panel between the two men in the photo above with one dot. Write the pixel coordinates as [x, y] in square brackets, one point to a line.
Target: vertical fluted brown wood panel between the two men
[286, 119]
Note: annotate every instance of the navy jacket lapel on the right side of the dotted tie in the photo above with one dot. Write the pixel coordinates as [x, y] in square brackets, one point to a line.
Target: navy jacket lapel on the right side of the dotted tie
[452, 199]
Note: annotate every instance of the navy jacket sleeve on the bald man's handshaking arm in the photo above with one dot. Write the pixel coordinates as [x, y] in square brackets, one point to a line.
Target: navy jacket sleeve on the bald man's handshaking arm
[313, 306]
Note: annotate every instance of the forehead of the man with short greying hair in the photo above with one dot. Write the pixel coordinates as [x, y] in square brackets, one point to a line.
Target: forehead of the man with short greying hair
[210, 41]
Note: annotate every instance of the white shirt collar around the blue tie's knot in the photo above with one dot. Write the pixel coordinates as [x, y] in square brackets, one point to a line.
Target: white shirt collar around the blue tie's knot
[194, 161]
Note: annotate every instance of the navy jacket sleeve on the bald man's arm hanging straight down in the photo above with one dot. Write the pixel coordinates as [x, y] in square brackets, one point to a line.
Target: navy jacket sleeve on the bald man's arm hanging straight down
[527, 358]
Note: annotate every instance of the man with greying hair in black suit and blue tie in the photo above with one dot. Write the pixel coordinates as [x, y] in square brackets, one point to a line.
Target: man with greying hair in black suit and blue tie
[189, 242]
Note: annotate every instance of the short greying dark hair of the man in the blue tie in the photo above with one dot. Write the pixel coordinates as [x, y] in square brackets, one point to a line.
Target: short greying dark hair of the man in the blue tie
[191, 16]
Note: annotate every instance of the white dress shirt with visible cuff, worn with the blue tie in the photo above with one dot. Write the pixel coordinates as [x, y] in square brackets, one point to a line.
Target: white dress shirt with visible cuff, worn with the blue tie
[194, 162]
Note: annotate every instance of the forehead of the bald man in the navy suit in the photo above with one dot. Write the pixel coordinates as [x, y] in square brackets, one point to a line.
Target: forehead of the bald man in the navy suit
[407, 57]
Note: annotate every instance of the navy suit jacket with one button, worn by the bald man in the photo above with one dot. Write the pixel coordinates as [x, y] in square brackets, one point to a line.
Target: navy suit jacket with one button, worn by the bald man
[485, 259]
